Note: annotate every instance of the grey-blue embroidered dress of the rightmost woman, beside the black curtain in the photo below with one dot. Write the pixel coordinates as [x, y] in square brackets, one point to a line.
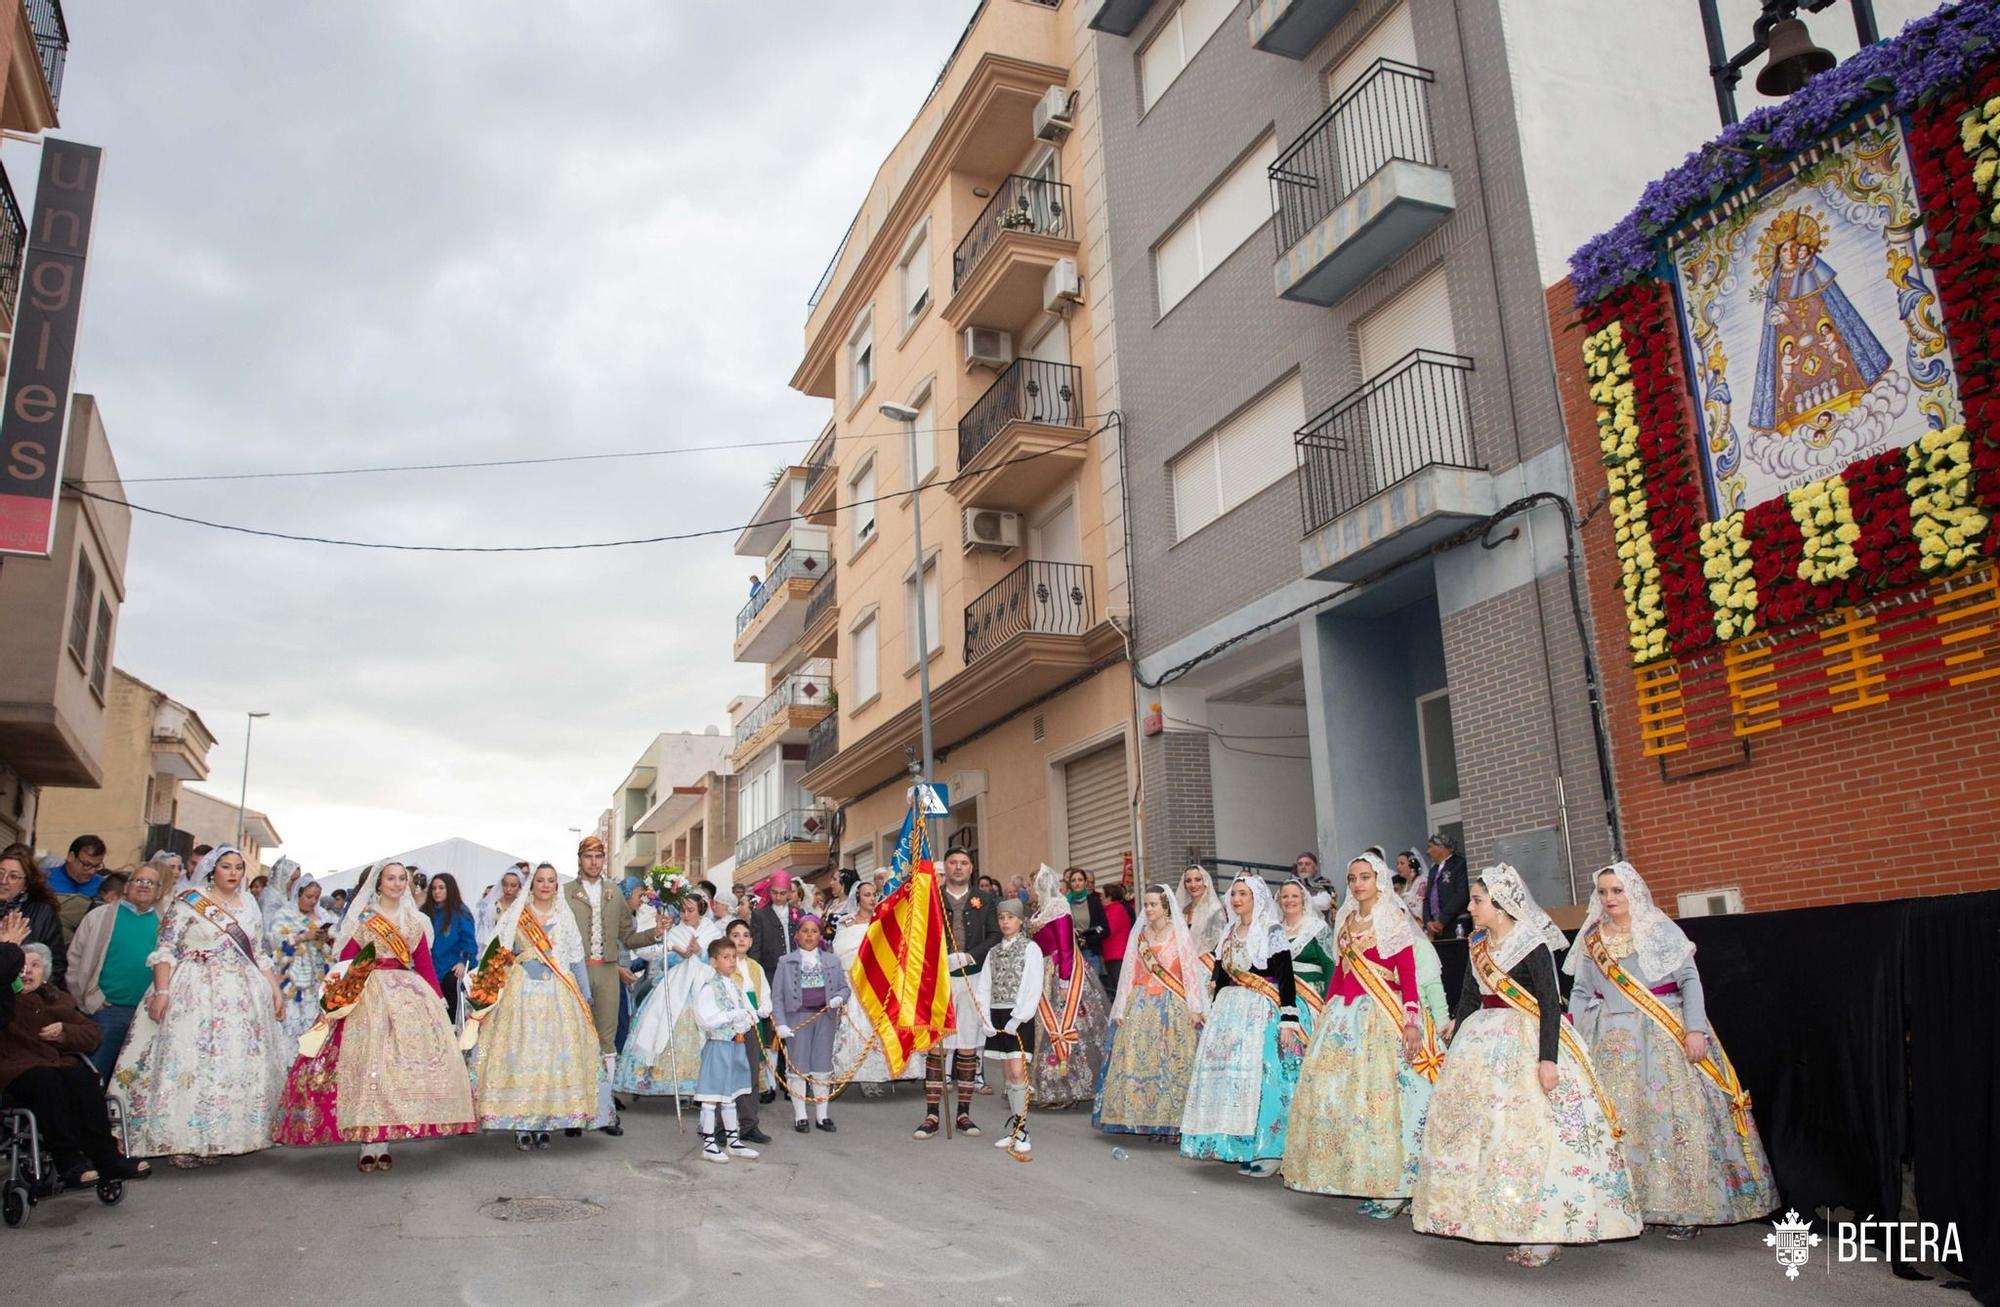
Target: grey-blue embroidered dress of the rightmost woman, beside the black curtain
[1691, 1164]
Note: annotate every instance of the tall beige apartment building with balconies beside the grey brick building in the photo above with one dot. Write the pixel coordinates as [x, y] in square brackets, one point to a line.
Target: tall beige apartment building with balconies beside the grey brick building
[973, 289]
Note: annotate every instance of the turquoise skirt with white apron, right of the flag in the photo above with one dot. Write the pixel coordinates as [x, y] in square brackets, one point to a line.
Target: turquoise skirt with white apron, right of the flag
[1241, 1092]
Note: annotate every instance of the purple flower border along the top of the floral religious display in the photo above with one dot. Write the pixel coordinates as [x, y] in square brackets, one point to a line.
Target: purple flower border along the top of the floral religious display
[1933, 55]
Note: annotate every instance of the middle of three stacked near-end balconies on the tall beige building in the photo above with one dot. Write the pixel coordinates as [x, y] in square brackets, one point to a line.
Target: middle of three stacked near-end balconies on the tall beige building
[1023, 439]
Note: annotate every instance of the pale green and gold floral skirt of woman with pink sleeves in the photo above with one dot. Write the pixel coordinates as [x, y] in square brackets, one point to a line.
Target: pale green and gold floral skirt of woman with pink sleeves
[1359, 1112]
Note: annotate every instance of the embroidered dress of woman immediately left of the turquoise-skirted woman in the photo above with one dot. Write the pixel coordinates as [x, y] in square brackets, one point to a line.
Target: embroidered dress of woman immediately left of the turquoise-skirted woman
[1153, 1046]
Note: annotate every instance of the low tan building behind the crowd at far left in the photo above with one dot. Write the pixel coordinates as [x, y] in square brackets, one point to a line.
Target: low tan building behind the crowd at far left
[151, 748]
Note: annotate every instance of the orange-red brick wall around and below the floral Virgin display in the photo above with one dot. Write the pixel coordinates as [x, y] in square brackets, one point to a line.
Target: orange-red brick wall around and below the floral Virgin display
[1879, 804]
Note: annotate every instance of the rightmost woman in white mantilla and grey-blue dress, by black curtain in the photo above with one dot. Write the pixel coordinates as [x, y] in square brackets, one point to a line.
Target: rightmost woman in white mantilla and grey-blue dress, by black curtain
[1689, 1136]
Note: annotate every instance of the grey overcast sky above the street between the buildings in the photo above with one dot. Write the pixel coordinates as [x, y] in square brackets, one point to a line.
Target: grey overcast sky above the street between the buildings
[383, 233]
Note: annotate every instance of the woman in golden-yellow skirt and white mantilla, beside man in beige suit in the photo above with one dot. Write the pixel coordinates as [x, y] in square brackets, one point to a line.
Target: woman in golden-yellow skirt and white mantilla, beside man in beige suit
[535, 1064]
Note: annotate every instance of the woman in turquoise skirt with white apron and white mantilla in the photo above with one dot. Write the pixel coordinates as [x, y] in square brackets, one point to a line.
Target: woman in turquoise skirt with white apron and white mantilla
[1247, 1062]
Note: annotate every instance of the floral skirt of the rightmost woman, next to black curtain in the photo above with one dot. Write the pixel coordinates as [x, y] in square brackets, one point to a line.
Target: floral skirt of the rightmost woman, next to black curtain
[1689, 1164]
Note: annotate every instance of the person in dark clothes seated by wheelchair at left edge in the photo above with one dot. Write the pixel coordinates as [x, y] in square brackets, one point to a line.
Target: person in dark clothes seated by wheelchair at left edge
[43, 1070]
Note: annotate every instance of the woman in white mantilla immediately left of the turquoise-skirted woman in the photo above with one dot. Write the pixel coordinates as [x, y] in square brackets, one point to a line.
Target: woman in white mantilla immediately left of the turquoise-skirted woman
[1157, 1022]
